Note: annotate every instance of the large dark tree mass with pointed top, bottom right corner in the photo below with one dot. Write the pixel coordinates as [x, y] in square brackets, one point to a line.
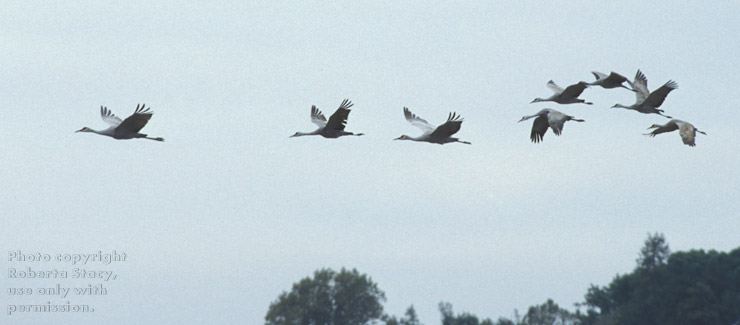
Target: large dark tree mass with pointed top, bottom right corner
[694, 287]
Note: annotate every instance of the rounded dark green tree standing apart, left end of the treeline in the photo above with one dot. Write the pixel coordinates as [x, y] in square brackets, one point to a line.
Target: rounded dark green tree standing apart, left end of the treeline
[329, 298]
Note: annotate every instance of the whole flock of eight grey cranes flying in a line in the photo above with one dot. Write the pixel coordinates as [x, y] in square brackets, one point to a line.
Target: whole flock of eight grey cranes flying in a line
[647, 103]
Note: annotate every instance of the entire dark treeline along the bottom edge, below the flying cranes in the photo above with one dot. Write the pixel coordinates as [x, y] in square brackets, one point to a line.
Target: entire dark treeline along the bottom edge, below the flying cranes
[693, 287]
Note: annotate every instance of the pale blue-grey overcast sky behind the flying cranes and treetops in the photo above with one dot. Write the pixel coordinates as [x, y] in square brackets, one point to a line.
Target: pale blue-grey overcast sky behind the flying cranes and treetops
[229, 211]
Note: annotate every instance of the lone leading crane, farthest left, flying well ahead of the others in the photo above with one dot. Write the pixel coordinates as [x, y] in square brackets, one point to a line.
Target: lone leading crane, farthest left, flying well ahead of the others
[126, 129]
